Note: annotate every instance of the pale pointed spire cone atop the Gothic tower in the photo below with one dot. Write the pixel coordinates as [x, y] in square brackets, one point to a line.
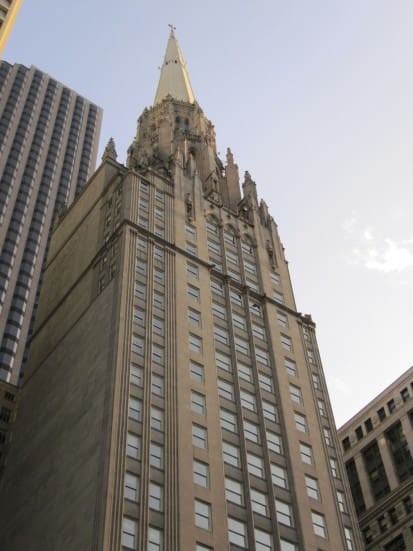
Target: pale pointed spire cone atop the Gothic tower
[174, 79]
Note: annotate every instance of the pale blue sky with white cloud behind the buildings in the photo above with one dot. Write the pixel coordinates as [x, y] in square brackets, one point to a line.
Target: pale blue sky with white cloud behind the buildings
[315, 99]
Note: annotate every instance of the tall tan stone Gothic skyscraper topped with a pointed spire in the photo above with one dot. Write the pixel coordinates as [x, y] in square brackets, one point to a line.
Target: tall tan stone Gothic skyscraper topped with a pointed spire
[174, 397]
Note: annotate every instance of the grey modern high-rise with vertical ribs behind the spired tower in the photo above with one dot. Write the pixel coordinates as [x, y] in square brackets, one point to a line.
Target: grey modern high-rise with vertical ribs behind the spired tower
[48, 146]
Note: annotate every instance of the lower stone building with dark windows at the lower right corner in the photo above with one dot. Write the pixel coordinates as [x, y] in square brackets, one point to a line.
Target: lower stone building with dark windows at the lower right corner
[378, 446]
